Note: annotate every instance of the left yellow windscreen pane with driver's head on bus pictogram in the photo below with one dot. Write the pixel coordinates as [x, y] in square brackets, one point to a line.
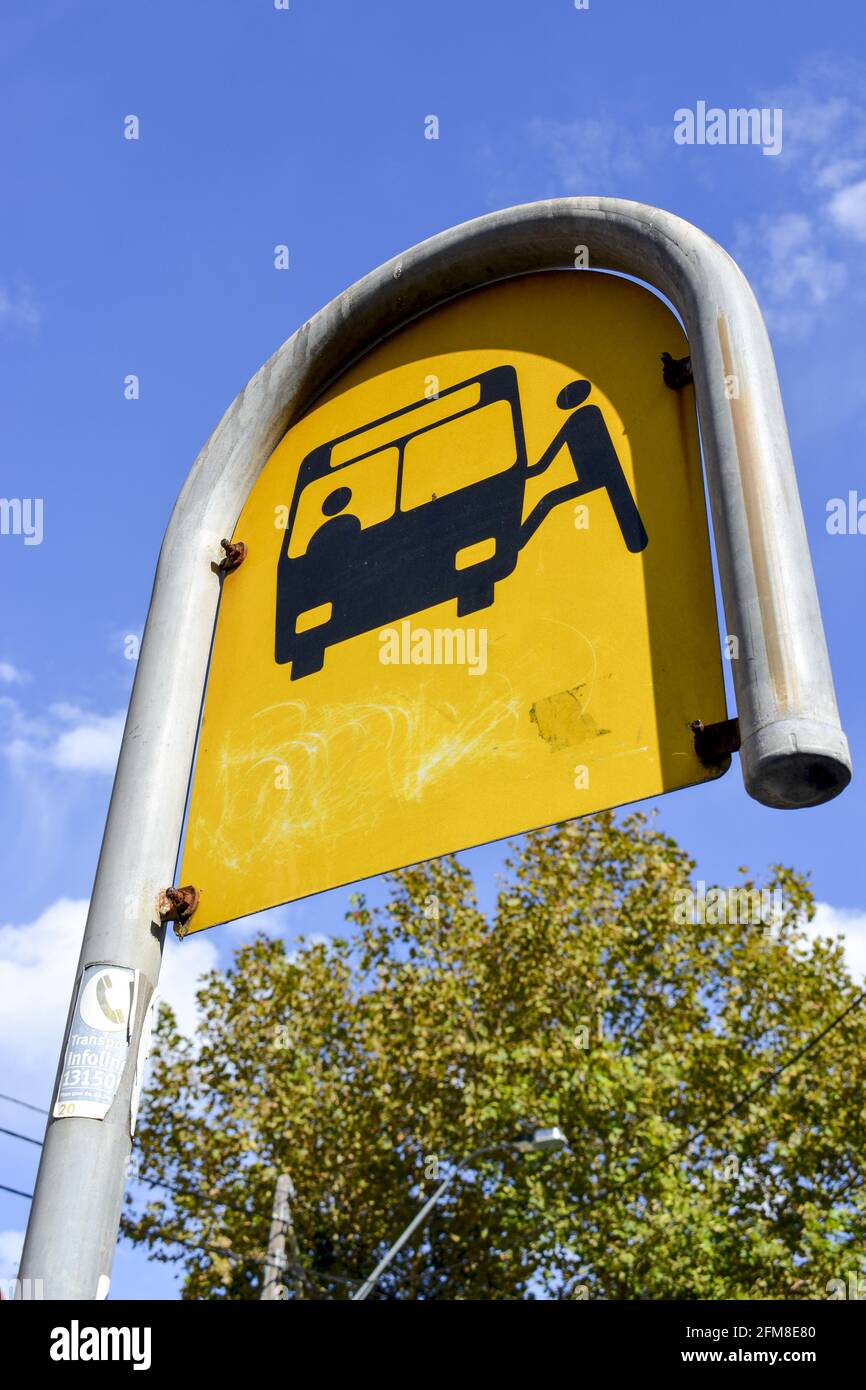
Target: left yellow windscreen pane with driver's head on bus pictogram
[366, 490]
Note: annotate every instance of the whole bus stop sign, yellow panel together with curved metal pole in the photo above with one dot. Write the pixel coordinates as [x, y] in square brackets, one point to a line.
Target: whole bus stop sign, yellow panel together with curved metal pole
[469, 593]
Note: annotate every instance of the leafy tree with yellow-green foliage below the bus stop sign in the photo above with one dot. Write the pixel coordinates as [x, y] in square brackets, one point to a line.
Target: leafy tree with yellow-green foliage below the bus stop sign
[369, 1067]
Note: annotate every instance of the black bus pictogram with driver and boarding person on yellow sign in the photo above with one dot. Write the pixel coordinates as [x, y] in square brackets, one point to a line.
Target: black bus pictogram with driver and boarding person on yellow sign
[423, 507]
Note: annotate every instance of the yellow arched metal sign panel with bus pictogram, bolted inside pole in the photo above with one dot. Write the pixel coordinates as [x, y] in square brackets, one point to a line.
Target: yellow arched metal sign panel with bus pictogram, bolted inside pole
[477, 600]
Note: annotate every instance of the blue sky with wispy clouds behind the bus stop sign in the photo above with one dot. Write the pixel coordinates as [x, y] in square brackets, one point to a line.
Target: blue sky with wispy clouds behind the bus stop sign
[156, 258]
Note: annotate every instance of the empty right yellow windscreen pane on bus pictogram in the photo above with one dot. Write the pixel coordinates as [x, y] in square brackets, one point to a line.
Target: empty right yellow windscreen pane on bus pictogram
[457, 454]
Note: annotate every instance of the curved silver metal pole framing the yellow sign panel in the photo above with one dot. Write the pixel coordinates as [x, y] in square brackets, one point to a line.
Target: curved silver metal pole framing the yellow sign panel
[794, 753]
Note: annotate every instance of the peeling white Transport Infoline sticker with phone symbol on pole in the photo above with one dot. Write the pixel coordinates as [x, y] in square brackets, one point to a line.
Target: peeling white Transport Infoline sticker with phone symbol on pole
[98, 1042]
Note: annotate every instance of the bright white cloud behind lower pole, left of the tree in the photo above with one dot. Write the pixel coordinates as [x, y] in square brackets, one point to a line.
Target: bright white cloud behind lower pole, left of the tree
[37, 971]
